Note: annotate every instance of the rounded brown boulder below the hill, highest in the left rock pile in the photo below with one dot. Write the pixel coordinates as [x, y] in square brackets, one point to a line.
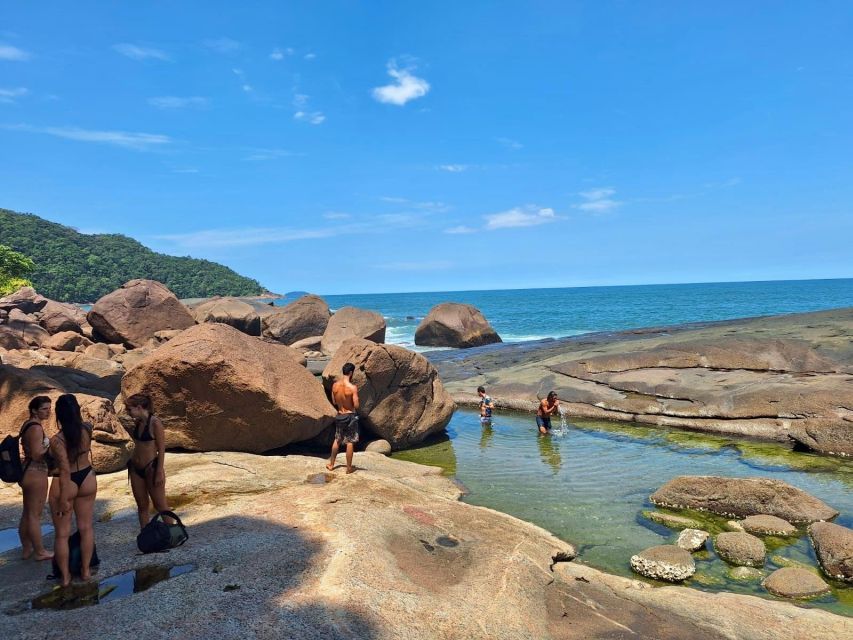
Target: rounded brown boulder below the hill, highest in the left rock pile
[132, 314]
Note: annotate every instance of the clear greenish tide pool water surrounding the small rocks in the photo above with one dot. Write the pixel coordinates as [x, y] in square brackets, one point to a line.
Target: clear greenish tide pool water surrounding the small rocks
[589, 483]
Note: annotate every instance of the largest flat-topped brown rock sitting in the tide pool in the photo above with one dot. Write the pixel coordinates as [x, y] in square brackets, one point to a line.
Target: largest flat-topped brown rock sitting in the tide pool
[742, 497]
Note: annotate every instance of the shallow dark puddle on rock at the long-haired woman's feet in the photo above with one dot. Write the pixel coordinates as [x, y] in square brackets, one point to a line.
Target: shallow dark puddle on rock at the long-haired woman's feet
[107, 590]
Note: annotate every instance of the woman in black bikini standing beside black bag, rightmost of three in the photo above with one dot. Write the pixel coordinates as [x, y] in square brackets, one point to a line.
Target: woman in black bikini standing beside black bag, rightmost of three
[146, 468]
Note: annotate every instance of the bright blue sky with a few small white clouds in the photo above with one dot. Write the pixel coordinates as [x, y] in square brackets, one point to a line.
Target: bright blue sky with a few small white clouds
[346, 147]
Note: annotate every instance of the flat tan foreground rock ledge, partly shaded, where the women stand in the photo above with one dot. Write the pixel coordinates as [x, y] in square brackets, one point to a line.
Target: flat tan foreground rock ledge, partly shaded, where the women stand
[282, 549]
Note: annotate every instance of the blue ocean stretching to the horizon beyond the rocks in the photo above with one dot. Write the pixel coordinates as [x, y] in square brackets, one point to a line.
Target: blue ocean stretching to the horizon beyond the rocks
[533, 314]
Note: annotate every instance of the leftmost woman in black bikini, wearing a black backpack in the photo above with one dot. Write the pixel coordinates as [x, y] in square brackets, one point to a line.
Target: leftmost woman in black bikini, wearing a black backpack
[34, 482]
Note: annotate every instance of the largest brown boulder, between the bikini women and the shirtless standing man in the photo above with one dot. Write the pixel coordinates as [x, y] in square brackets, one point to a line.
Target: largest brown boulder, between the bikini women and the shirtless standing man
[217, 389]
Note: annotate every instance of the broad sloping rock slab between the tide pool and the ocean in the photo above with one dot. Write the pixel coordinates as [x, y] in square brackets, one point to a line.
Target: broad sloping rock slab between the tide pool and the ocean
[780, 378]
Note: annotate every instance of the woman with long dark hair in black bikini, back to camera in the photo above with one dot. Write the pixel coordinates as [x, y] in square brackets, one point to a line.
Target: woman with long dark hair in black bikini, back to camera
[75, 487]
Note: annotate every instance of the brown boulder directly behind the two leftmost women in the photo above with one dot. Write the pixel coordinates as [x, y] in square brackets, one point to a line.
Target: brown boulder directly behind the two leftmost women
[111, 444]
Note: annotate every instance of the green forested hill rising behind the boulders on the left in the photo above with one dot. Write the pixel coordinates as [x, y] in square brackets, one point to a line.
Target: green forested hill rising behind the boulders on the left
[75, 267]
